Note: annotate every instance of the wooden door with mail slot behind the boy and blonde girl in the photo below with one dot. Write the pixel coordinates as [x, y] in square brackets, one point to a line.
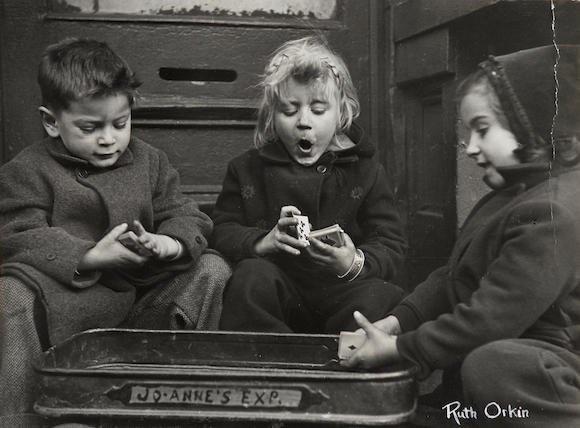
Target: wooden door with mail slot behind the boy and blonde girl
[199, 61]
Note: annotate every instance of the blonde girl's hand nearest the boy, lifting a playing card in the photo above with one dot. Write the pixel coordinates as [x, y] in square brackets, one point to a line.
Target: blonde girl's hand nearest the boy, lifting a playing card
[278, 240]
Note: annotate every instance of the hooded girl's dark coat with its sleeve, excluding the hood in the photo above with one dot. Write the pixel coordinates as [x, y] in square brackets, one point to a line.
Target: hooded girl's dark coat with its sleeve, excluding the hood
[514, 272]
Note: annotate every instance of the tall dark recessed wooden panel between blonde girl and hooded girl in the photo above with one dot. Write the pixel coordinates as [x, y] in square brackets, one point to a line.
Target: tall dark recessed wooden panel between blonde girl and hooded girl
[430, 182]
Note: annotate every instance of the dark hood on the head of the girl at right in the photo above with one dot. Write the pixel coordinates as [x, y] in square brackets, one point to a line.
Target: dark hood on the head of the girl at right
[539, 91]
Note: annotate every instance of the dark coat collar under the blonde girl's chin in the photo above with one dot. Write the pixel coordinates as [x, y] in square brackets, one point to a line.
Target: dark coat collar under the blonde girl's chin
[275, 152]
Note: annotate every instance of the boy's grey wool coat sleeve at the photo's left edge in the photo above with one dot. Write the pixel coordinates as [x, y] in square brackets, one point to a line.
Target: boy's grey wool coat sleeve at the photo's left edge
[26, 233]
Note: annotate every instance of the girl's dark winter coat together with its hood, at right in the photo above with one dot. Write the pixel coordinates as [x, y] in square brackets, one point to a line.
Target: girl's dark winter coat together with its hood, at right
[515, 269]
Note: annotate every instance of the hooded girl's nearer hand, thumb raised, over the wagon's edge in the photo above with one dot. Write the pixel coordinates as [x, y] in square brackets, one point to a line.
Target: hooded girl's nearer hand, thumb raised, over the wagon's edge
[380, 348]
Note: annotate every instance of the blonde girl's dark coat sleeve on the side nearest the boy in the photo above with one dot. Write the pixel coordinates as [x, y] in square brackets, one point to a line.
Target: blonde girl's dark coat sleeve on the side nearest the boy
[232, 237]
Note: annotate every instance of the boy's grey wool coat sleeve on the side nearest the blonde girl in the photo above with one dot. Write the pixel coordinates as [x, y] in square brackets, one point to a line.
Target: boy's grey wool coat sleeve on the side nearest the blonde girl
[176, 215]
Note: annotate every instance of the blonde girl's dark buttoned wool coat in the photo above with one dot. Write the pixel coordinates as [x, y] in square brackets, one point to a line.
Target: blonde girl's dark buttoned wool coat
[348, 187]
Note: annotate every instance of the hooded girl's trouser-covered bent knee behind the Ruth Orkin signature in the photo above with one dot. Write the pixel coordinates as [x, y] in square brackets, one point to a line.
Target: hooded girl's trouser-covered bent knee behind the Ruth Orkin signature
[522, 383]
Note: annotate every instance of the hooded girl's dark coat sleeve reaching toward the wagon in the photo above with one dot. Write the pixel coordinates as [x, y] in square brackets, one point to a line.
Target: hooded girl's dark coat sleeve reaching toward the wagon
[535, 267]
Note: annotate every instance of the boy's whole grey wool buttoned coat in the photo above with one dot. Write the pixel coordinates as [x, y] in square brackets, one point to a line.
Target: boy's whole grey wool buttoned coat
[54, 207]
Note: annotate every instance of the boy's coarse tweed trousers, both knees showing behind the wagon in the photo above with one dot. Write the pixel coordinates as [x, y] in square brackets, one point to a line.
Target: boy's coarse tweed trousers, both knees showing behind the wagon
[191, 300]
